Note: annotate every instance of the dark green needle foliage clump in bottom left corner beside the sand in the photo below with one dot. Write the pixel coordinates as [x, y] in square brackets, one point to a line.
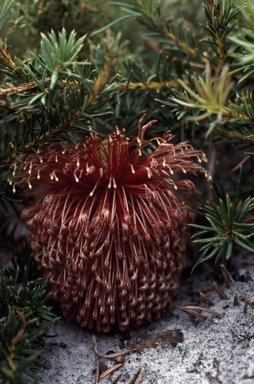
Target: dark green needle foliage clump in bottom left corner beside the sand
[24, 320]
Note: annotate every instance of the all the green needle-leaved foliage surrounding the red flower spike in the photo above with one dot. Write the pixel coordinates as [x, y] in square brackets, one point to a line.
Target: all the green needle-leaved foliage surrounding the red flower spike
[69, 67]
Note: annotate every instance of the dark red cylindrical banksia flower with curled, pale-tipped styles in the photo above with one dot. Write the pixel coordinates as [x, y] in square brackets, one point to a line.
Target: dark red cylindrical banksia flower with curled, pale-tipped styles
[108, 224]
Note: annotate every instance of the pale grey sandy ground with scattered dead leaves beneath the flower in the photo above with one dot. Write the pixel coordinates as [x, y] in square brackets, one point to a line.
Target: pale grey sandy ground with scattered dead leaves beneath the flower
[178, 349]
